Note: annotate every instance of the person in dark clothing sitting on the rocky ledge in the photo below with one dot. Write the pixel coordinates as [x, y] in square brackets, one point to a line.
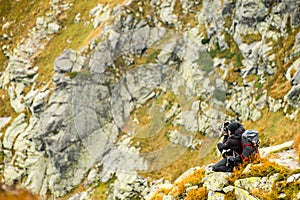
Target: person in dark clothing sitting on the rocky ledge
[230, 148]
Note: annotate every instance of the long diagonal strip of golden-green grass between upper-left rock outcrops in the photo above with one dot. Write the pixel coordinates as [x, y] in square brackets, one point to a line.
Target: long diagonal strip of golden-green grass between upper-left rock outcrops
[71, 36]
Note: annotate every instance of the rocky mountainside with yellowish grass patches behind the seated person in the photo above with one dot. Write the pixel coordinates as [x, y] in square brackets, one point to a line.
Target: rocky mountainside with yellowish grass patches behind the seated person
[144, 92]
